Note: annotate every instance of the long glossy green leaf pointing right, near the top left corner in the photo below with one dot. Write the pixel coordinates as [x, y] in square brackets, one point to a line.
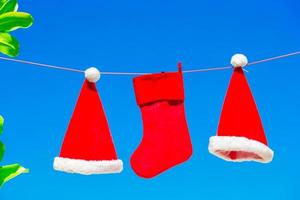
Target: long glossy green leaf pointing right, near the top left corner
[13, 20]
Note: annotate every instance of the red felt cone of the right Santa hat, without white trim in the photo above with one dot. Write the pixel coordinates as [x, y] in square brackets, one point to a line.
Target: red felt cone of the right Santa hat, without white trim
[239, 115]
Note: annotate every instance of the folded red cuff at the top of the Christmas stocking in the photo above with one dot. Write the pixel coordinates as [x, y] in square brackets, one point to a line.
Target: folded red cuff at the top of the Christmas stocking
[158, 87]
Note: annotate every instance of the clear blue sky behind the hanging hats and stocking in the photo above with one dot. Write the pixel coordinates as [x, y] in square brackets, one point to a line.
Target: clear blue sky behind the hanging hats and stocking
[152, 36]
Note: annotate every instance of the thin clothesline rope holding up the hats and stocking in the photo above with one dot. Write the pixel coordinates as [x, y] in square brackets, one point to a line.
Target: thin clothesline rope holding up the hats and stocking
[143, 73]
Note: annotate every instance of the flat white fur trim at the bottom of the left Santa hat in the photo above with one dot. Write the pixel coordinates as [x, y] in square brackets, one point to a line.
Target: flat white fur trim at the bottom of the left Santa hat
[86, 167]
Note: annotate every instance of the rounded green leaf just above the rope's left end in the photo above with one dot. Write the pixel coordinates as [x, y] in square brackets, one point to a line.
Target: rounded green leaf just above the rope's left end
[8, 46]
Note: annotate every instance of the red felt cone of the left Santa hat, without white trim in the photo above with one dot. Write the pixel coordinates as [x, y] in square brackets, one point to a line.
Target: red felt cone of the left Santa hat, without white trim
[88, 136]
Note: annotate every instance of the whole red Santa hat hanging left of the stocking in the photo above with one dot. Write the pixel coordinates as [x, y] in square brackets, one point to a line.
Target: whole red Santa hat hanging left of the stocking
[88, 146]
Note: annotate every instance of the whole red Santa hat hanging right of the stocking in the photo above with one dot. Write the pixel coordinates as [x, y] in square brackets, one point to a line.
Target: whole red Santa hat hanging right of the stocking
[240, 136]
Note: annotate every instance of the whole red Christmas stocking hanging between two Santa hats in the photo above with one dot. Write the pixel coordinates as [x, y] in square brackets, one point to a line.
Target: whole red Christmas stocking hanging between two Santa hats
[166, 141]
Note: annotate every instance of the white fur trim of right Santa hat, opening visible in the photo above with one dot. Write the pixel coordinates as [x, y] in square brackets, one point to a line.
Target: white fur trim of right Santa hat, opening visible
[221, 146]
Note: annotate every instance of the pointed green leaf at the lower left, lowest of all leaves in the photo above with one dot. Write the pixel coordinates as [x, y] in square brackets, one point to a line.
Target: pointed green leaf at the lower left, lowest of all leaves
[10, 171]
